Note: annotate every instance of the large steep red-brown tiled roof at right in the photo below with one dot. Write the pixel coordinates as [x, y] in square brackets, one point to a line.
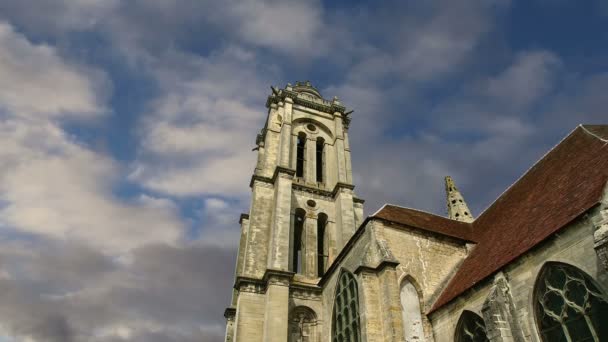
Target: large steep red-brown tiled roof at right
[565, 183]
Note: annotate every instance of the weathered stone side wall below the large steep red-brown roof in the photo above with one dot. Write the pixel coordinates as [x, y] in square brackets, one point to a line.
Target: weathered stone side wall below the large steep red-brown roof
[572, 245]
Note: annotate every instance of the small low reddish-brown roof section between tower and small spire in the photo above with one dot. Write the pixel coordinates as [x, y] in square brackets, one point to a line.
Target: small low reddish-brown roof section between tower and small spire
[426, 221]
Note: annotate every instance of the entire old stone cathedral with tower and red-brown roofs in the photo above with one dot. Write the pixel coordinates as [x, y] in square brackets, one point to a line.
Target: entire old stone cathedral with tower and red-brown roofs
[310, 267]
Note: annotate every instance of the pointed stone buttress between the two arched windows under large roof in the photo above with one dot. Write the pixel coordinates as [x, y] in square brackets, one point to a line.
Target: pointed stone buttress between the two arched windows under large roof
[499, 313]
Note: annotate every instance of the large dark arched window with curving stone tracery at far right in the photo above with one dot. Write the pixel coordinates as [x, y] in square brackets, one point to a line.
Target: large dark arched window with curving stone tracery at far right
[568, 305]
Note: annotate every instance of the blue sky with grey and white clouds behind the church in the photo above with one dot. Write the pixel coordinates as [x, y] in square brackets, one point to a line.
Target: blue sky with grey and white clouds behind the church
[126, 129]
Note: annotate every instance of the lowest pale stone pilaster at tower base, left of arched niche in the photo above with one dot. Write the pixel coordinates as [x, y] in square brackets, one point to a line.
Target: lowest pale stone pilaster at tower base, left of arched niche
[276, 312]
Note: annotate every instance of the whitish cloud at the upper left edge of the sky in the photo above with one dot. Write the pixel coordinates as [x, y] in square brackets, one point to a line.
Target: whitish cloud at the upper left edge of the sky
[35, 81]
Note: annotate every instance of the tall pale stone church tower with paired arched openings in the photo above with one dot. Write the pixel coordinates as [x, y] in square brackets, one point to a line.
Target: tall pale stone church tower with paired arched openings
[303, 211]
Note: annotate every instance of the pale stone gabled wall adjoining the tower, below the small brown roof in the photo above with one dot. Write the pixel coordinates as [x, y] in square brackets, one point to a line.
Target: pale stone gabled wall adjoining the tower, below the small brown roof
[381, 258]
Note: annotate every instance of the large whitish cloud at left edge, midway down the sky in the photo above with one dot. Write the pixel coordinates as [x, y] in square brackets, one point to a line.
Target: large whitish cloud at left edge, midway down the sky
[63, 190]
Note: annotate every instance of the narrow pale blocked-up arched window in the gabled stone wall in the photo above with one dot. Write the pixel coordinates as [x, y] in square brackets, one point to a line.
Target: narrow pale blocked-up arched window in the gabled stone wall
[411, 313]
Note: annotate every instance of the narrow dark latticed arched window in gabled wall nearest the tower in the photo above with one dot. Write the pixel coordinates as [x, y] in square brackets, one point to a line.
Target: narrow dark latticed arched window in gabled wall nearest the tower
[345, 323]
